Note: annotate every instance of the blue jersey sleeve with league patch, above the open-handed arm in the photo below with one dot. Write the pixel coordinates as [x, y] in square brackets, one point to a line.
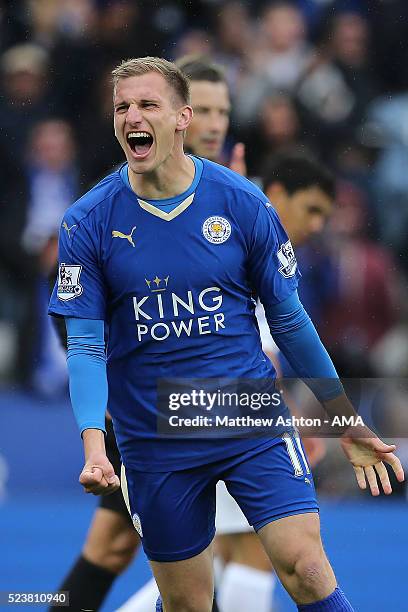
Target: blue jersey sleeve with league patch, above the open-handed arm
[273, 269]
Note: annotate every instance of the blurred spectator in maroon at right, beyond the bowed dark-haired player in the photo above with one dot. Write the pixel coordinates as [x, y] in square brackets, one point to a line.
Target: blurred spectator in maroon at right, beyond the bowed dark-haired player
[364, 303]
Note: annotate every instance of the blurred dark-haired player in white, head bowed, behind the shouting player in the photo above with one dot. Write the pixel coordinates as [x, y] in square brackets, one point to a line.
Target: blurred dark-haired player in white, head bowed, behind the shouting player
[302, 191]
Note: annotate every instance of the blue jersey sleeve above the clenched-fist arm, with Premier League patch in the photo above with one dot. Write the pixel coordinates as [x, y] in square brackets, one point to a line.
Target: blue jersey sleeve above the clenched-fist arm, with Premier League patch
[79, 290]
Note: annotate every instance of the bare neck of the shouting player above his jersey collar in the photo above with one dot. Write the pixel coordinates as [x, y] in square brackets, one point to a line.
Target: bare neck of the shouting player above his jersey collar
[171, 178]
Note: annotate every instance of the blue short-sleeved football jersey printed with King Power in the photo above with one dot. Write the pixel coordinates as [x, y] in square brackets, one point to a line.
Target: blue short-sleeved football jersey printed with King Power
[174, 281]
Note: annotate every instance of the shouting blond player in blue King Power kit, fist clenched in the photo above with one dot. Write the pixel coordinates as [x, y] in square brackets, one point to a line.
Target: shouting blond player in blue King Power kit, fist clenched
[168, 251]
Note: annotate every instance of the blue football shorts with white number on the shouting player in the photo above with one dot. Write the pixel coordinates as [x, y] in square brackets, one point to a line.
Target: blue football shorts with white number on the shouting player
[174, 512]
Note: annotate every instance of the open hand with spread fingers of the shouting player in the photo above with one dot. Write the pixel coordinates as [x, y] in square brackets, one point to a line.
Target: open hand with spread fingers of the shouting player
[367, 454]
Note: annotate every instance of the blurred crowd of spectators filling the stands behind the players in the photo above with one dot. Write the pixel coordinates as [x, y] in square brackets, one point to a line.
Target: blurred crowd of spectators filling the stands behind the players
[326, 76]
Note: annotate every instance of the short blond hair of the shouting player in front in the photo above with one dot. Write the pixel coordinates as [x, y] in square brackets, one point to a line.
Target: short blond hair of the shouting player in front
[137, 66]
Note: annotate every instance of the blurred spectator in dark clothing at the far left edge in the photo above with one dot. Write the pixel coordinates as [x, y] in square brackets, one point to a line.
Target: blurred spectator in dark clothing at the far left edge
[25, 99]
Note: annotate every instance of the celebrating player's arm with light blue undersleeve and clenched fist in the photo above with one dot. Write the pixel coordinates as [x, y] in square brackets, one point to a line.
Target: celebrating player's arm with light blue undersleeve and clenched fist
[80, 297]
